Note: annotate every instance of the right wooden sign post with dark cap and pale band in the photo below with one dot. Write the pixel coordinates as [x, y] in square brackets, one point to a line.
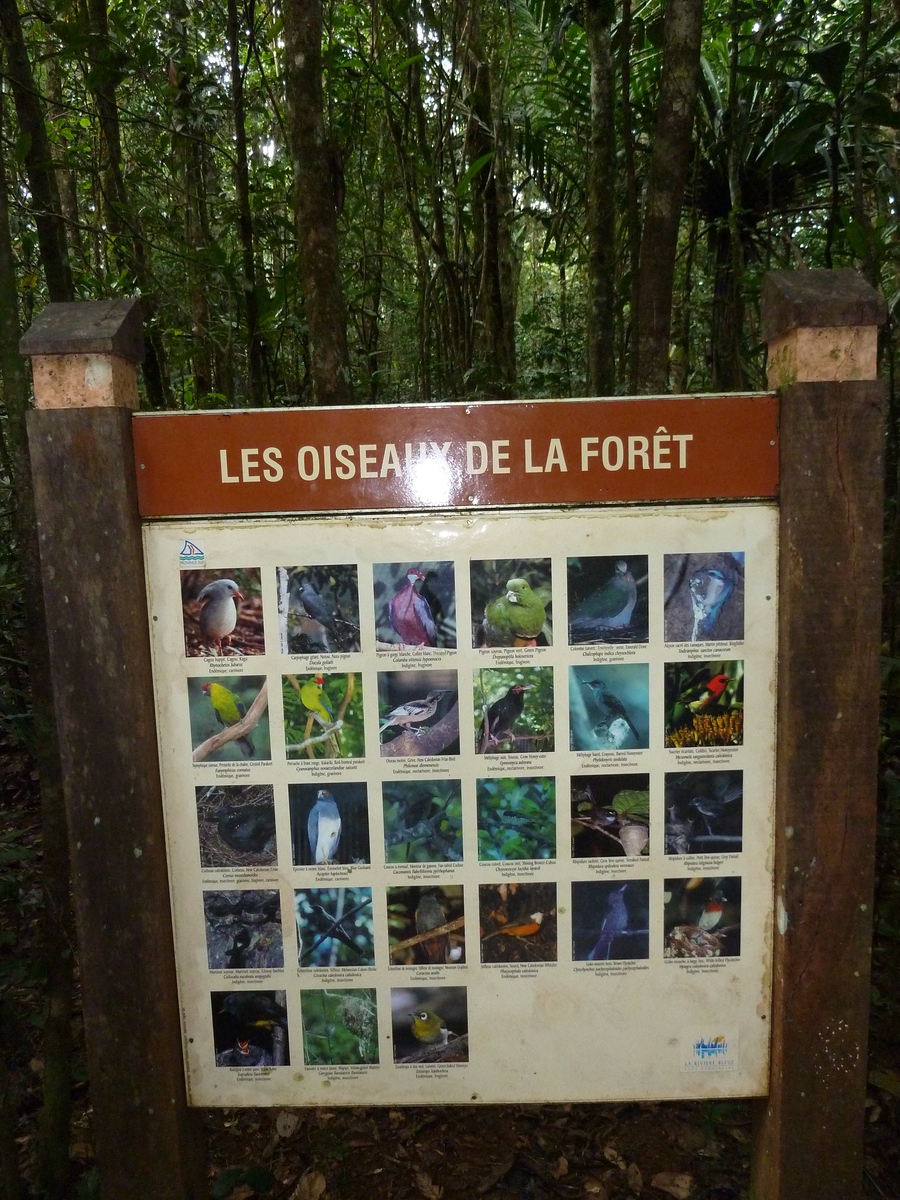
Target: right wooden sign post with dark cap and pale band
[823, 332]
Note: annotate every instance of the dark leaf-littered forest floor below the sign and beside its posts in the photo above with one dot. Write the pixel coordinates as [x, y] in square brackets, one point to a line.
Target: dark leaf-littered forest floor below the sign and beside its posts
[601, 1151]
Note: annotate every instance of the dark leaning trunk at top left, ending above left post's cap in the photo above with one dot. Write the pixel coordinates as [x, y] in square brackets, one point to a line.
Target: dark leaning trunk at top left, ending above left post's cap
[39, 159]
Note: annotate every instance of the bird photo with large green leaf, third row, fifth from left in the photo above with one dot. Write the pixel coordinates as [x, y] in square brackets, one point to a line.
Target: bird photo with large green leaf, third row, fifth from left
[611, 817]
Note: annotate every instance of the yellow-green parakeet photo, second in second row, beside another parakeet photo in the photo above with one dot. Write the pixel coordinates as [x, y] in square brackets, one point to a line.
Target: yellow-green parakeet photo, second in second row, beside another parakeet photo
[323, 716]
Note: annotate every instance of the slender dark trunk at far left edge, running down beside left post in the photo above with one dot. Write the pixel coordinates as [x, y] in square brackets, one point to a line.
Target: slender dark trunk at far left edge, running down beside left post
[56, 1115]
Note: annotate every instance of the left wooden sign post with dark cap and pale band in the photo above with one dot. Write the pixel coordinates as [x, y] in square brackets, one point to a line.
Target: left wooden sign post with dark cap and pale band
[85, 363]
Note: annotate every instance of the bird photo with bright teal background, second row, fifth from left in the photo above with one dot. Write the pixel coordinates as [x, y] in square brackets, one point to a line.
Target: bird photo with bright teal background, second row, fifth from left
[609, 707]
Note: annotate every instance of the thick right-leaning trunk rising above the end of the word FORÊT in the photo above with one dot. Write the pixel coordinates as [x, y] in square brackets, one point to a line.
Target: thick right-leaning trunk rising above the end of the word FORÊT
[670, 161]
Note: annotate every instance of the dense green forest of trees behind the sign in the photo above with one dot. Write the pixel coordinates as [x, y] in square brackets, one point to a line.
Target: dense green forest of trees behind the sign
[411, 201]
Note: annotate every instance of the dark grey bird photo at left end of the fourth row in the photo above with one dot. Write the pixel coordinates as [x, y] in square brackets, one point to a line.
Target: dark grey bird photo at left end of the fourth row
[244, 931]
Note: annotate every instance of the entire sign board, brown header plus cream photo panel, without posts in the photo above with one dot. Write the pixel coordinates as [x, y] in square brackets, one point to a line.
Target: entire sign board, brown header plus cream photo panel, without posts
[598, 857]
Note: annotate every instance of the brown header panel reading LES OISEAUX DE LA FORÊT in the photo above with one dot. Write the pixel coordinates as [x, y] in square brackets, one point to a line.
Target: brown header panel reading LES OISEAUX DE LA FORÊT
[441, 457]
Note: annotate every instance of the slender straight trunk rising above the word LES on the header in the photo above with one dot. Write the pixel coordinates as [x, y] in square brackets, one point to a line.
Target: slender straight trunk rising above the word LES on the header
[259, 392]
